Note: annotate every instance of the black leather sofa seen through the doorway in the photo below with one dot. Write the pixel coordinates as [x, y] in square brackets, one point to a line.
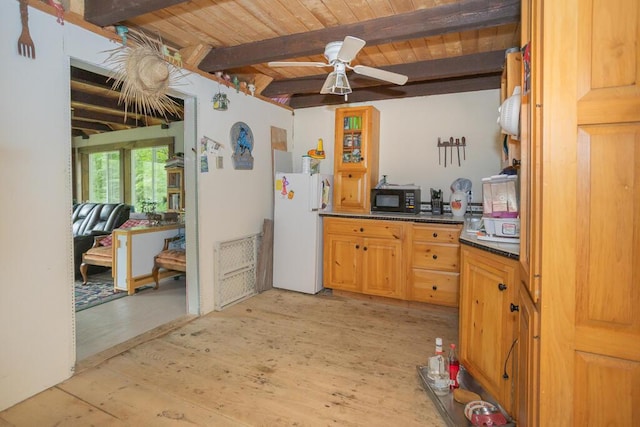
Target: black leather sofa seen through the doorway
[94, 219]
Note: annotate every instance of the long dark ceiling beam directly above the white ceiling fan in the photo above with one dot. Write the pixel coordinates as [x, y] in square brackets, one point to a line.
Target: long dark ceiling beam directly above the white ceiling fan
[464, 15]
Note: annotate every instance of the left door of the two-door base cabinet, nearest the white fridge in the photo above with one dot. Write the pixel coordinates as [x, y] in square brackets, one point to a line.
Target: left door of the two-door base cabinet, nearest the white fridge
[342, 262]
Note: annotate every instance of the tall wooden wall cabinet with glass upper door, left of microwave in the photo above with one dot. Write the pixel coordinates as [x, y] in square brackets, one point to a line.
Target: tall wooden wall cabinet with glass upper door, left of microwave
[357, 139]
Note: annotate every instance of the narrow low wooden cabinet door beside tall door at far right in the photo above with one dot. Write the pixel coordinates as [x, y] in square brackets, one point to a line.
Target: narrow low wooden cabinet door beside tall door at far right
[528, 360]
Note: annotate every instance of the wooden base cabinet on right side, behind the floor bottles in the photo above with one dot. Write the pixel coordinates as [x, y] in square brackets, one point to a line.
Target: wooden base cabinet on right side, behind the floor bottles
[488, 319]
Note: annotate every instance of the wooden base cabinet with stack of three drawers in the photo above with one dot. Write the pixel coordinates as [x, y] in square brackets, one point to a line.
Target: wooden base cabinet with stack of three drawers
[435, 264]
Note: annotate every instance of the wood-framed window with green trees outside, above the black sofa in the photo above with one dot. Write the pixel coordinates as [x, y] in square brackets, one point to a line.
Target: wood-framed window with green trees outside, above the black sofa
[130, 172]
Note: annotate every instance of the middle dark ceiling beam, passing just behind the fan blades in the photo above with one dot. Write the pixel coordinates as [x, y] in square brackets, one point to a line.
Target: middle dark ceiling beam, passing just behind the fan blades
[468, 65]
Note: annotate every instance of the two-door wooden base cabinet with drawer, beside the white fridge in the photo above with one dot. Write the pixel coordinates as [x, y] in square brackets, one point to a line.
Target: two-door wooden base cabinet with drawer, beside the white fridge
[364, 256]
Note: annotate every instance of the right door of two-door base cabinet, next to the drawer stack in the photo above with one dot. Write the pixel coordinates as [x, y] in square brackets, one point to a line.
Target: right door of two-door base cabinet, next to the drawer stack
[382, 268]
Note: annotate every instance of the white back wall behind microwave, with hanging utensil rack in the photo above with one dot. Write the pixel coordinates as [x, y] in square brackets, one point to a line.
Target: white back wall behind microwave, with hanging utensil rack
[409, 131]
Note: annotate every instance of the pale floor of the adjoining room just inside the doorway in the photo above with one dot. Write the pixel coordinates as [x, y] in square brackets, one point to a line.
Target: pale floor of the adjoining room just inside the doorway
[107, 325]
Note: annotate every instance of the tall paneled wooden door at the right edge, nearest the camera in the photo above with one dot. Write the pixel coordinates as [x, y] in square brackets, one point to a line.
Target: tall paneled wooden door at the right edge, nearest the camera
[590, 322]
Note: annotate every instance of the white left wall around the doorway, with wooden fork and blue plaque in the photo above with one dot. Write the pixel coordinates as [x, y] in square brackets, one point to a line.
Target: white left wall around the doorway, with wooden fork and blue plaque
[37, 317]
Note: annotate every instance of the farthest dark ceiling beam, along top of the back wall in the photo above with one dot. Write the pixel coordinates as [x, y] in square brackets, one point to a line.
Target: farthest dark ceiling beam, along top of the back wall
[438, 87]
